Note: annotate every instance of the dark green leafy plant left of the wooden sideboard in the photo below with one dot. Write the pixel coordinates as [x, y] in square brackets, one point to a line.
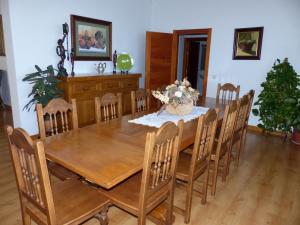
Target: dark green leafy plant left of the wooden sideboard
[44, 86]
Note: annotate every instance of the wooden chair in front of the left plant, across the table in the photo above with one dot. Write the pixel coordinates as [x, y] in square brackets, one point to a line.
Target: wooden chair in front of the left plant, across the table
[53, 119]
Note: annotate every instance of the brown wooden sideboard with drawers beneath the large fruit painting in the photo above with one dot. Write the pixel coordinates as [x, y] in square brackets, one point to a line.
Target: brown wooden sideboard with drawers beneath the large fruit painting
[85, 88]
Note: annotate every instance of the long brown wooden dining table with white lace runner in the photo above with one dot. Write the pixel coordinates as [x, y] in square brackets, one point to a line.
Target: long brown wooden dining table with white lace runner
[108, 153]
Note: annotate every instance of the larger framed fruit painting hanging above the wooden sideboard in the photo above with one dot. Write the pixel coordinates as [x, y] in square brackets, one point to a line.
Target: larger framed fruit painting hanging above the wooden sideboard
[91, 39]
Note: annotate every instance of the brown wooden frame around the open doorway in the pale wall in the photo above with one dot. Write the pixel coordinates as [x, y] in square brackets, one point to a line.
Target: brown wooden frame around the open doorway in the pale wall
[174, 60]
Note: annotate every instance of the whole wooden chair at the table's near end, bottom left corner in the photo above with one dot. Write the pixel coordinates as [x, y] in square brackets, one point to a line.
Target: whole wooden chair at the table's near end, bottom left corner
[69, 202]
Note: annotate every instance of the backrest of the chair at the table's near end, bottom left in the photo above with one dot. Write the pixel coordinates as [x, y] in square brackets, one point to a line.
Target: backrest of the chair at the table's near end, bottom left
[31, 173]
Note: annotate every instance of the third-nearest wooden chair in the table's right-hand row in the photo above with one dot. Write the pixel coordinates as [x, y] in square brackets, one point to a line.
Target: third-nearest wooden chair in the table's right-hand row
[222, 146]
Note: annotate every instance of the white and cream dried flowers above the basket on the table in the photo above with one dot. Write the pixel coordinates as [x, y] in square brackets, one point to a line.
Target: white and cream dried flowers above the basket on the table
[178, 94]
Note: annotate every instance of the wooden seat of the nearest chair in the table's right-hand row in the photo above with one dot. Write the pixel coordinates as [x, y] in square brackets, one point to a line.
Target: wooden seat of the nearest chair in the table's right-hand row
[126, 195]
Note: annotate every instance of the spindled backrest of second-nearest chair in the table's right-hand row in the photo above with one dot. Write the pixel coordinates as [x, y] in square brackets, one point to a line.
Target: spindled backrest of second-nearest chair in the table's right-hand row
[204, 140]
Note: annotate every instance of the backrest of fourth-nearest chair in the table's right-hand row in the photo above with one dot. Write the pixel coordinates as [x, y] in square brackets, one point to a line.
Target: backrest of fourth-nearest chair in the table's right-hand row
[242, 112]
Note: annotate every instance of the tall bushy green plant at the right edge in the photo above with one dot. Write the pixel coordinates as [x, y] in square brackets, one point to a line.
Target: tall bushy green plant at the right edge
[278, 103]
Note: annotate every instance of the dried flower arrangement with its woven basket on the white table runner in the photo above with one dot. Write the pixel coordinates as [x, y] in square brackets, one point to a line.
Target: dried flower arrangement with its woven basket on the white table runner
[178, 98]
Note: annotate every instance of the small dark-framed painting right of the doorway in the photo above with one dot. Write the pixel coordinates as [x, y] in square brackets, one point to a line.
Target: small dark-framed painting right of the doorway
[247, 43]
